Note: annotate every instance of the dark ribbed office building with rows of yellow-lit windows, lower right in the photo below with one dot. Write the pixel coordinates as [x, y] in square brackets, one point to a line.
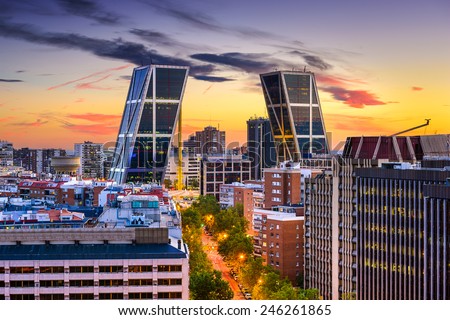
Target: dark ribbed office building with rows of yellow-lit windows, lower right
[401, 237]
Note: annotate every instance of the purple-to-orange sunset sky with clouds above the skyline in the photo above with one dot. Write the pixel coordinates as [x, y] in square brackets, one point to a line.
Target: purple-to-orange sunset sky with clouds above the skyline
[381, 66]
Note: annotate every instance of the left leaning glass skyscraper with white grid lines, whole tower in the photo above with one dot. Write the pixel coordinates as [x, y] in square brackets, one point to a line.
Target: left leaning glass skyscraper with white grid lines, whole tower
[149, 119]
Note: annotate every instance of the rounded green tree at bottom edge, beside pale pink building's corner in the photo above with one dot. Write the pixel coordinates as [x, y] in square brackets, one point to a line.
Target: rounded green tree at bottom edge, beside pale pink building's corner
[207, 285]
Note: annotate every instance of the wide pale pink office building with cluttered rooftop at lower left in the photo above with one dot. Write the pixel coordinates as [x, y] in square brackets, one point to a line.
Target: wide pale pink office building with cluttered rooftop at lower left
[134, 252]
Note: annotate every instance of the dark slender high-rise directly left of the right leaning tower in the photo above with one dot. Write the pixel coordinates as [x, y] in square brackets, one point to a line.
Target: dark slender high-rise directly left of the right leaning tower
[260, 146]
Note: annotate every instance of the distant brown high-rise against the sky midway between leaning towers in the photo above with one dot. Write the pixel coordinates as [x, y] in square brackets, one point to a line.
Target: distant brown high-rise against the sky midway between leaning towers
[210, 141]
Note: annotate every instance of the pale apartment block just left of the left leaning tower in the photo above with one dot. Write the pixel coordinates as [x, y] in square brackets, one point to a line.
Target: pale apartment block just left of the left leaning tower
[91, 158]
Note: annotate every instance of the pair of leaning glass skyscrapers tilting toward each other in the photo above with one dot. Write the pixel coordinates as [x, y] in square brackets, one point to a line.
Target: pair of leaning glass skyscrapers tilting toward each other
[153, 106]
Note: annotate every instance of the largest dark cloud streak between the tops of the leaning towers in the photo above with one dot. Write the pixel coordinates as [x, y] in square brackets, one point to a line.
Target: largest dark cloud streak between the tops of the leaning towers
[247, 62]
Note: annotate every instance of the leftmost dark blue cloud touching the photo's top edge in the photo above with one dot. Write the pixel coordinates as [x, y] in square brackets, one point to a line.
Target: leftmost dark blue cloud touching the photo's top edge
[90, 10]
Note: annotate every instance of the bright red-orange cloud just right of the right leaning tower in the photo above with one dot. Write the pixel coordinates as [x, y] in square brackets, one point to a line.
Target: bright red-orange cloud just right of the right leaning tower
[354, 98]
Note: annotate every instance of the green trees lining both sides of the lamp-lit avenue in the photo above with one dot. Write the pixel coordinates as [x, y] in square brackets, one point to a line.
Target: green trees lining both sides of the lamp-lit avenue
[229, 228]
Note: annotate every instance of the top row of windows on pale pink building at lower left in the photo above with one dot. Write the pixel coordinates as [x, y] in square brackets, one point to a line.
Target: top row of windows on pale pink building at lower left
[90, 269]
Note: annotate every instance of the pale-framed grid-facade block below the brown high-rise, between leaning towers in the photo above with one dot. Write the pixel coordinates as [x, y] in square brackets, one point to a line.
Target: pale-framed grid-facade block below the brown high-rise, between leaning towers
[218, 170]
